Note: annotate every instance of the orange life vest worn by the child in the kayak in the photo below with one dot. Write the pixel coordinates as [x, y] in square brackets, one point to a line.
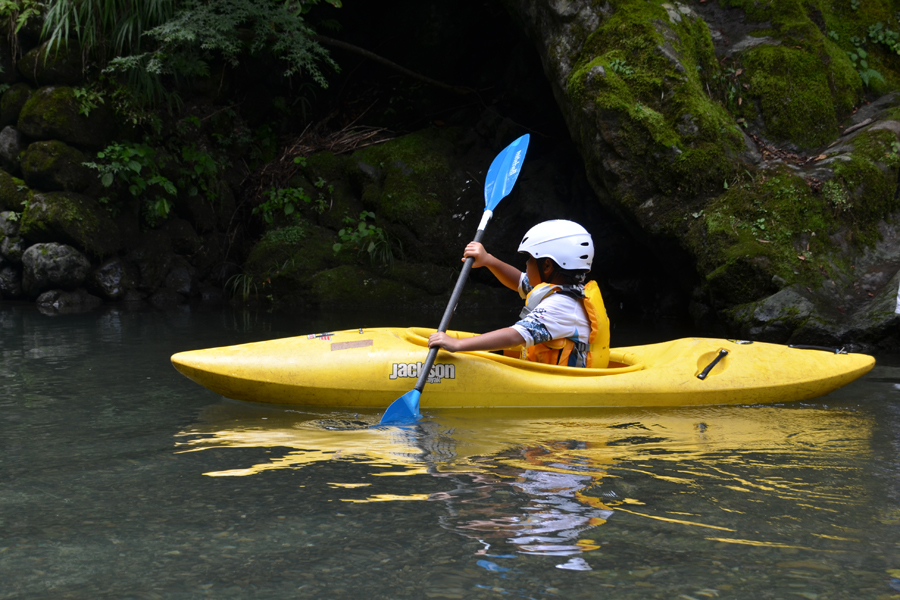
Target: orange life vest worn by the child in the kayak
[557, 352]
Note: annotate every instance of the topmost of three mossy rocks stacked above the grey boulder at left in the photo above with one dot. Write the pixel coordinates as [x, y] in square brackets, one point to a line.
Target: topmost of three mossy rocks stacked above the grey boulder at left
[52, 113]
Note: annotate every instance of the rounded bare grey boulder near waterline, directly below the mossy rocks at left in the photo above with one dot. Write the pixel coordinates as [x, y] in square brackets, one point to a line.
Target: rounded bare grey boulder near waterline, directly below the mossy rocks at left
[53, 266]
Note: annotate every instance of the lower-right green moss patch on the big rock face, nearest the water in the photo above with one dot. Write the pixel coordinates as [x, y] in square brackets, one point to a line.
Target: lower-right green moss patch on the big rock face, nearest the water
[777, 225]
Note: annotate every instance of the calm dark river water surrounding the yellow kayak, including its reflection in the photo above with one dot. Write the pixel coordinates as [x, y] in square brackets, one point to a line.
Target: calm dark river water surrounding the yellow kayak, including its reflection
[119, 478]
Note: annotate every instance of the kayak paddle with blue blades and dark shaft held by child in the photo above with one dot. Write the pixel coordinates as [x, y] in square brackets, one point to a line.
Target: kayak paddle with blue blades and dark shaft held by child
[499, 182]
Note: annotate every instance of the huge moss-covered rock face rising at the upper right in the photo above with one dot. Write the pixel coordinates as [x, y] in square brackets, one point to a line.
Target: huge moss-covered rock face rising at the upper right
[749, 162]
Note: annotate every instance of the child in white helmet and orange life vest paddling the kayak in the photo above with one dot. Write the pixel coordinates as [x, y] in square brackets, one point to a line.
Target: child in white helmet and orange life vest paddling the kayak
[564, 321]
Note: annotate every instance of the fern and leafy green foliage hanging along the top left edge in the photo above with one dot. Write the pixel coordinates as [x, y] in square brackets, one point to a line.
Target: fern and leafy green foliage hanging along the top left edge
[147, 40]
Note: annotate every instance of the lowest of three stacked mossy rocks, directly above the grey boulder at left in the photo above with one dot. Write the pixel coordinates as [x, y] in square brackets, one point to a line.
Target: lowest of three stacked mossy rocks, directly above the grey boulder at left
[73, 219]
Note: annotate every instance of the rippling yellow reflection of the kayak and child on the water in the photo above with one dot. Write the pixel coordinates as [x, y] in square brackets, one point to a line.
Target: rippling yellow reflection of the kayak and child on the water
[543, 483]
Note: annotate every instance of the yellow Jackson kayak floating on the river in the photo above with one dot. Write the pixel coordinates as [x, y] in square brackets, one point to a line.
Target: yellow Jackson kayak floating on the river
[373, 367]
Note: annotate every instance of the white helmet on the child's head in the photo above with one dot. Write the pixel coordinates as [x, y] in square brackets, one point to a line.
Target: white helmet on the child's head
[567, 243]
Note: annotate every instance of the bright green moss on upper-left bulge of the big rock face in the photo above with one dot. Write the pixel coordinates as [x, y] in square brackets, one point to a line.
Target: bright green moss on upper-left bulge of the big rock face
[644, 71]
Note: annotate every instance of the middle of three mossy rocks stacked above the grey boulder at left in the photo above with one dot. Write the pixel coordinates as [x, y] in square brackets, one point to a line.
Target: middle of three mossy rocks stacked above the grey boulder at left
[55, 166]
